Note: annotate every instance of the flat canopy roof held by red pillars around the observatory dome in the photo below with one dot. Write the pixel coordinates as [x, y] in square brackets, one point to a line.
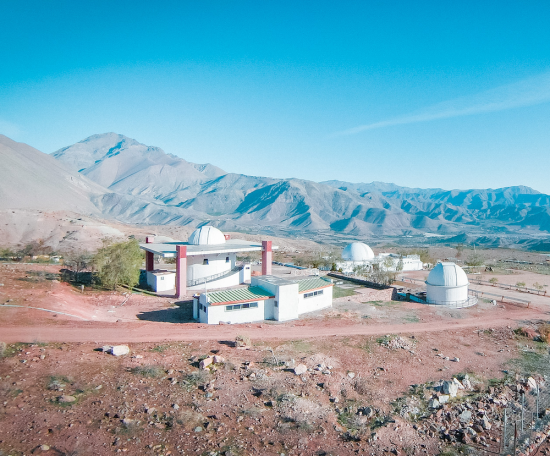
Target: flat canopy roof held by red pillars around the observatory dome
[168, 249]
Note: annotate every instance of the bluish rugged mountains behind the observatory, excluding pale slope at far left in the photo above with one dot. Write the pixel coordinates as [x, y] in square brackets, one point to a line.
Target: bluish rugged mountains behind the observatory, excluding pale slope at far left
[171, 190]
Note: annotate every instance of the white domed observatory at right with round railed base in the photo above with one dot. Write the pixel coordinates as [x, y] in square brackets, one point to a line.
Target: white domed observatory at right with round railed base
[447, 285]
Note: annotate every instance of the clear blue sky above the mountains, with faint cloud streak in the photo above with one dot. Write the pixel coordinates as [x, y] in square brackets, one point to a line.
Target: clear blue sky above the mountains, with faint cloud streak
[428, 94]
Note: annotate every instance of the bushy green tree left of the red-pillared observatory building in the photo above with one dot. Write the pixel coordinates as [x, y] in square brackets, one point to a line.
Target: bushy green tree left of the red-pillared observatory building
[119, 264]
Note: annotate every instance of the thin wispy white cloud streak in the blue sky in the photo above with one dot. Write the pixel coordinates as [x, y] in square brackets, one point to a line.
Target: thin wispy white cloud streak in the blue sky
[527, 92]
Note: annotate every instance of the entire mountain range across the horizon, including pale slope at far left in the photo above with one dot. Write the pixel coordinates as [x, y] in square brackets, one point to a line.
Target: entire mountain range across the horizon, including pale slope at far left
[119, 178]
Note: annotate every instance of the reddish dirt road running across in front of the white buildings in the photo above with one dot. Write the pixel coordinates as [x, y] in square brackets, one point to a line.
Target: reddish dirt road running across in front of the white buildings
[159, 332]
